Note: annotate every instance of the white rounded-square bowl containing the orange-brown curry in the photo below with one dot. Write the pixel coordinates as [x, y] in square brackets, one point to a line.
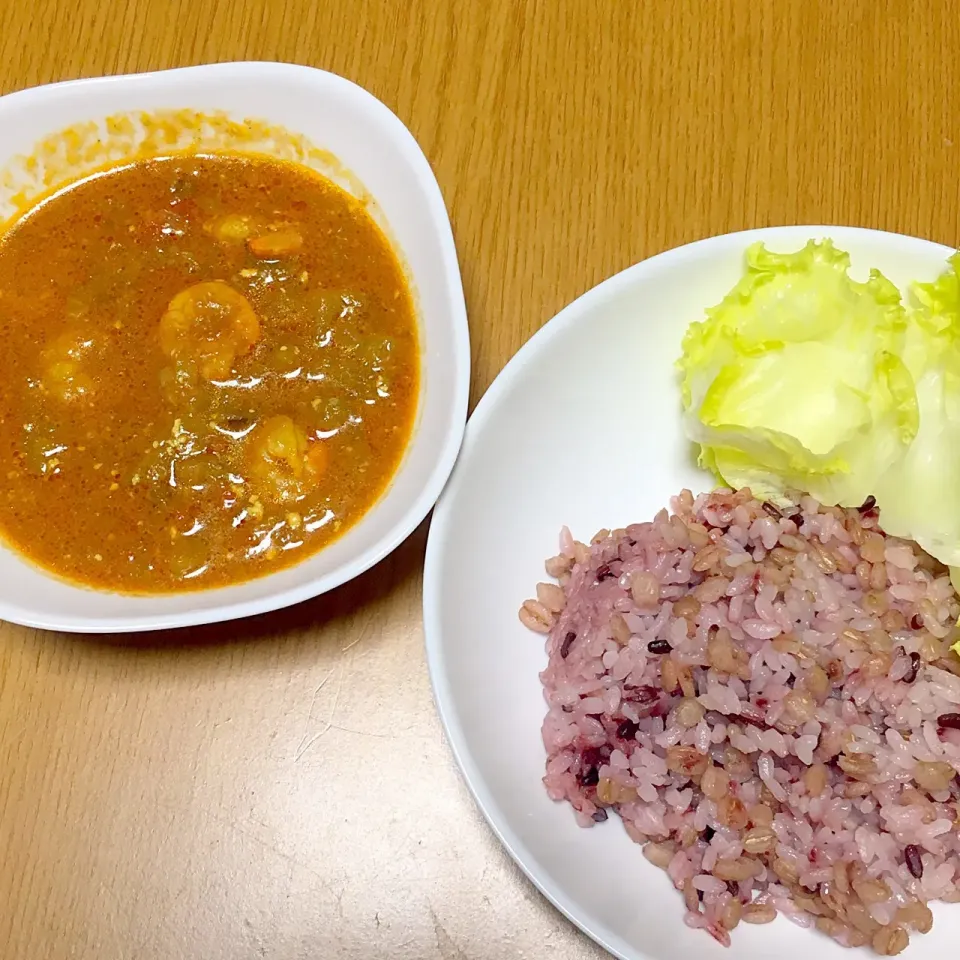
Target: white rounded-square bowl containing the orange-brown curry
[376, 148]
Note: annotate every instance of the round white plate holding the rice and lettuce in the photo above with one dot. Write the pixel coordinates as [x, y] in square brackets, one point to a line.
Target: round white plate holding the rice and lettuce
[583, 428]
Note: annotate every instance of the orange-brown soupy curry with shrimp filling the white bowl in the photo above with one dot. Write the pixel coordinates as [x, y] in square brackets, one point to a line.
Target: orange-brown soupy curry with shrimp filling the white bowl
[209, 370]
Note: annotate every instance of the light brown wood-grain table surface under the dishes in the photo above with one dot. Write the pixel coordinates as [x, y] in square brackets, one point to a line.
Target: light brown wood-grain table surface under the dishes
[280, 788]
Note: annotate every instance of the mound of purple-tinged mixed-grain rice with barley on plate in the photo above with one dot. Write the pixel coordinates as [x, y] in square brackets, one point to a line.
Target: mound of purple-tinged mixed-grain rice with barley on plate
[768, 701]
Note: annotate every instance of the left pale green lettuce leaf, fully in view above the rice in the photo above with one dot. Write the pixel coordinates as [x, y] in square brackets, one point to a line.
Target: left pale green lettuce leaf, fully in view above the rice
[795, 381]
